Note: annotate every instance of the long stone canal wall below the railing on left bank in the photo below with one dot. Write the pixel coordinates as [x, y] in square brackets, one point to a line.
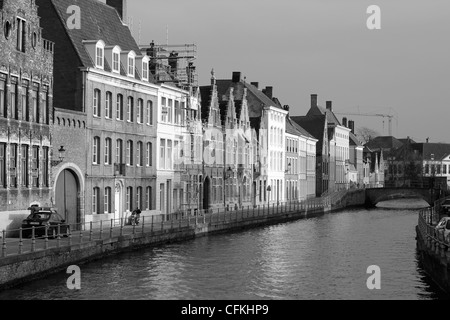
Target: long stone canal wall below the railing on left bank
[36, 263]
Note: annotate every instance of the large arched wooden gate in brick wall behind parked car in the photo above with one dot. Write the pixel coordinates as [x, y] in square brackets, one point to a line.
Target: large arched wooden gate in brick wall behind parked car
[66, 196]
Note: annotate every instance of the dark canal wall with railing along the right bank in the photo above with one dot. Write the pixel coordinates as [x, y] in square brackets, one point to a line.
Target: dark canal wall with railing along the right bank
[433, 248]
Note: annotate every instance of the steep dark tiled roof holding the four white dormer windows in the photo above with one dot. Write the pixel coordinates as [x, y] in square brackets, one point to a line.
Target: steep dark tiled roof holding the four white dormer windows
[98, 22]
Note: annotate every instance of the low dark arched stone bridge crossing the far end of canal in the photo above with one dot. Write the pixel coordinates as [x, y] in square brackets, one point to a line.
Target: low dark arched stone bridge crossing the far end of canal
[375, 195]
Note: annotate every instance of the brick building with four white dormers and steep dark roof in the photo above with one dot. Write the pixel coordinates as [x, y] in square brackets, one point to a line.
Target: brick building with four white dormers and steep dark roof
[102, 78]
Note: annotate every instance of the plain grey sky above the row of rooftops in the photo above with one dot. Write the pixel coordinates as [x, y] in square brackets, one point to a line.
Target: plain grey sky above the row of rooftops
[304, 47]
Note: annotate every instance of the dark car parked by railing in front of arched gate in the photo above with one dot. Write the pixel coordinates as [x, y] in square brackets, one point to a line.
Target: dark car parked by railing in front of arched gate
[42, 217]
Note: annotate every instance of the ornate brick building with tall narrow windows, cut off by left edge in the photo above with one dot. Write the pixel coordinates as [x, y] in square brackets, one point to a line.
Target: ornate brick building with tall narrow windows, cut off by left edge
[26, 80]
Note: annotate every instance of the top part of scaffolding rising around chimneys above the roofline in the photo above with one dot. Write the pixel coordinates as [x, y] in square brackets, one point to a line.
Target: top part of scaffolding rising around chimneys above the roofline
[173, 63]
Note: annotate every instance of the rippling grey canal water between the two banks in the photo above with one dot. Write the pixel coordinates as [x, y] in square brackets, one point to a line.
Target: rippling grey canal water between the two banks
[319, 258]
